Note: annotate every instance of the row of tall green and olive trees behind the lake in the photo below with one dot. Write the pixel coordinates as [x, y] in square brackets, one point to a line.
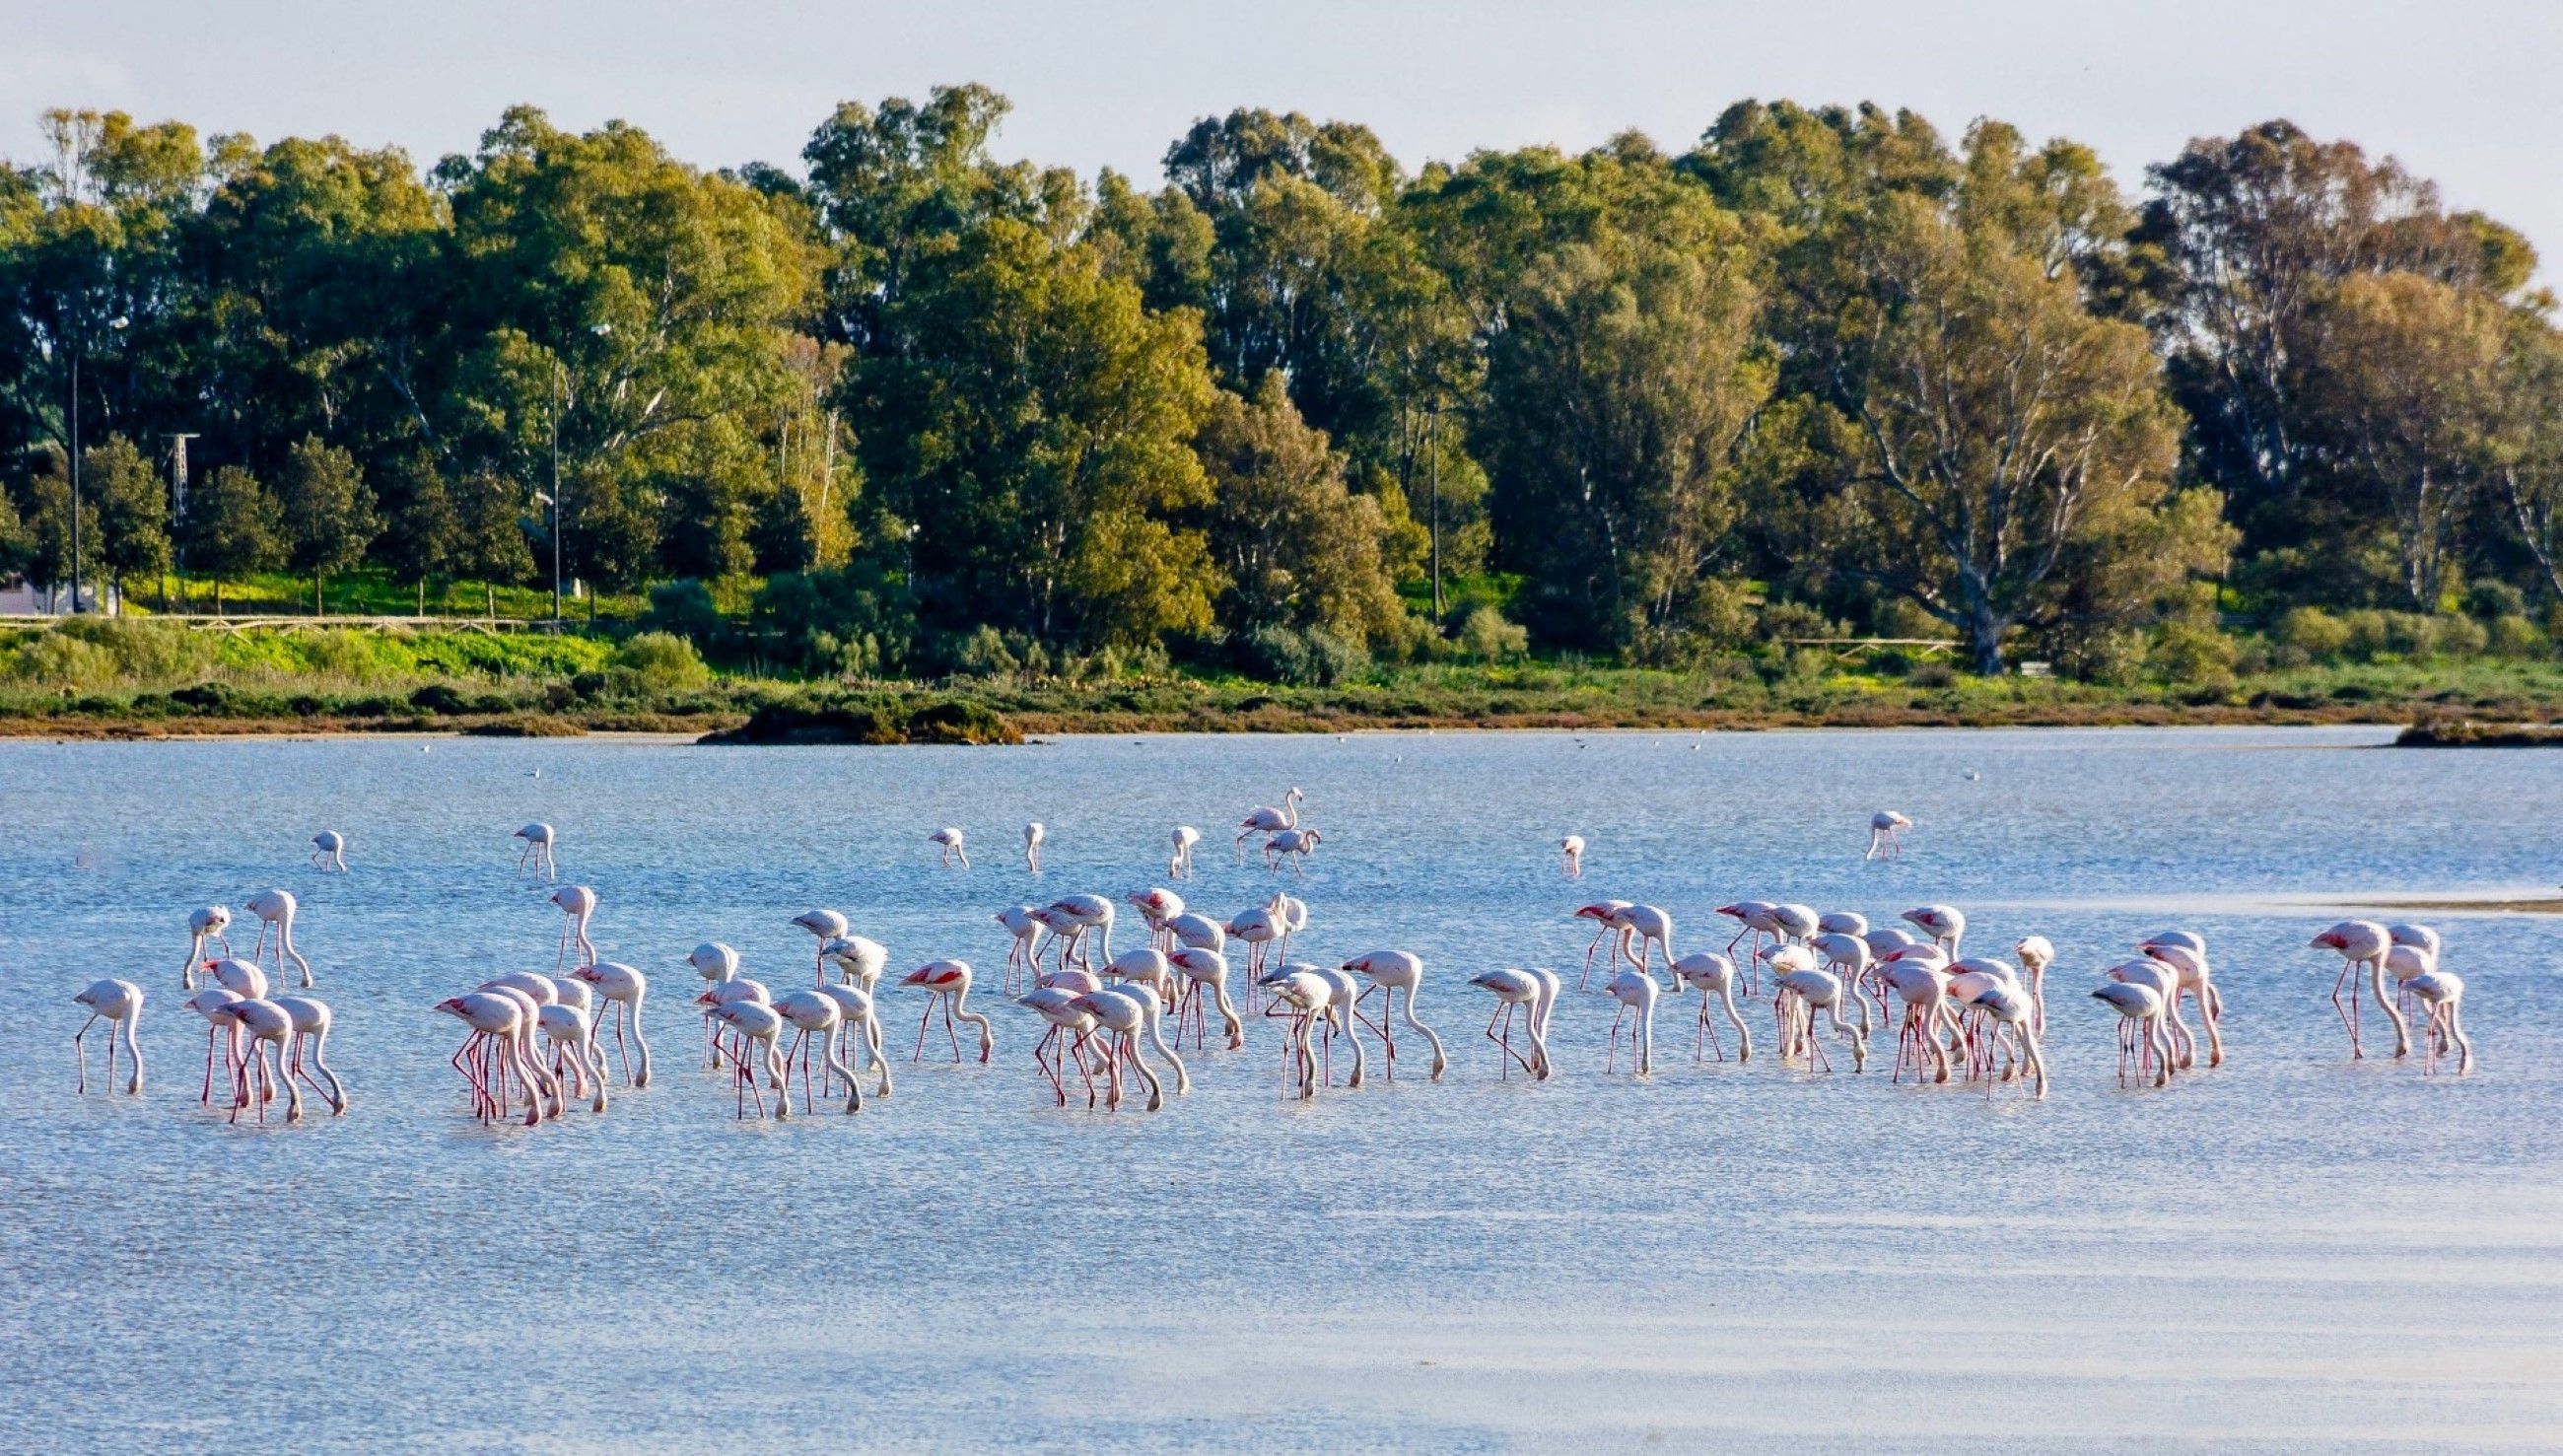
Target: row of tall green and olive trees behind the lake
[1826, 373]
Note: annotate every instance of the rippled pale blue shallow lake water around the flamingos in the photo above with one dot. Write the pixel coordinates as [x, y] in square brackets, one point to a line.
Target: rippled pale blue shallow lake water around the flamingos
[2290, 1252]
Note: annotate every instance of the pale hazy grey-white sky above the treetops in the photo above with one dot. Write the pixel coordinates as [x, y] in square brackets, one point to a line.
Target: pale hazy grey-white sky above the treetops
[2452, 88]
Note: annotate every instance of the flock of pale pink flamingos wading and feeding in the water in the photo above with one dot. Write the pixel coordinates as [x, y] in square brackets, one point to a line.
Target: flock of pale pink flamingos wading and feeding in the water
[537, 1042]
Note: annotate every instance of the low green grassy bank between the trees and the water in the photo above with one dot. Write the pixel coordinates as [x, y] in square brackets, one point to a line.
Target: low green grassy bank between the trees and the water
[142, 678]
